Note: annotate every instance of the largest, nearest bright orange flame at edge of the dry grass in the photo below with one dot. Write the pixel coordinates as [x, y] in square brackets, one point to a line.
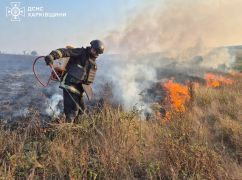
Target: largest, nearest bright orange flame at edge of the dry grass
[178, 95]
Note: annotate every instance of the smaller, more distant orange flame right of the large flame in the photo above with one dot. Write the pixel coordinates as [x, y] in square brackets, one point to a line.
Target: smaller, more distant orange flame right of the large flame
[213, 80]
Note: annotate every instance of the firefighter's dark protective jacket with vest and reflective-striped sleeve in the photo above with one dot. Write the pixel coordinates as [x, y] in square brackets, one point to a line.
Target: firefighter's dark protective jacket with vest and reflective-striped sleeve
[80, 69]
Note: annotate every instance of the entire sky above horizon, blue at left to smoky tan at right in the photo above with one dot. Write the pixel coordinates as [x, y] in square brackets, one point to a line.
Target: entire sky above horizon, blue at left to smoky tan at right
[173, 27]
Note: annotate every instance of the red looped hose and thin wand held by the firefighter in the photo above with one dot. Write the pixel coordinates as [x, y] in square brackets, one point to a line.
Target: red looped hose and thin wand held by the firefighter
[48, 81]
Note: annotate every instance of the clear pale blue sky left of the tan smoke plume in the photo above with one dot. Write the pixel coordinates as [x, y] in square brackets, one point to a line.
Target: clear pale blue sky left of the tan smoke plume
[84, 21]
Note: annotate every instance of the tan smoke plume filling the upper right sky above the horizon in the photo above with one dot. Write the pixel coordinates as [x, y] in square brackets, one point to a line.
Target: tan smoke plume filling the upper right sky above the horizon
[179, 28]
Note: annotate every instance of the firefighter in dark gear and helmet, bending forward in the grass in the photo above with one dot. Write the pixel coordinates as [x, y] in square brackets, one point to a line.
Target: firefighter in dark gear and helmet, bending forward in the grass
[79, 75]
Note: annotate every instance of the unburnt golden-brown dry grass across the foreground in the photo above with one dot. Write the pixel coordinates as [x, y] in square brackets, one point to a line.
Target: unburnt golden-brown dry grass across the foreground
[203, 143]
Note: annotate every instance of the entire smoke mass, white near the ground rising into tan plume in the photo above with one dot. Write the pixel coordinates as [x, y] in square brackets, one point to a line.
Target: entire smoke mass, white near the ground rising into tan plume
[177, 30]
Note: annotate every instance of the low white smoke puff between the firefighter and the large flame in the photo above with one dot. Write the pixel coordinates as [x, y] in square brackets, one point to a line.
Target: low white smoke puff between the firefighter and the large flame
[131, 81]
